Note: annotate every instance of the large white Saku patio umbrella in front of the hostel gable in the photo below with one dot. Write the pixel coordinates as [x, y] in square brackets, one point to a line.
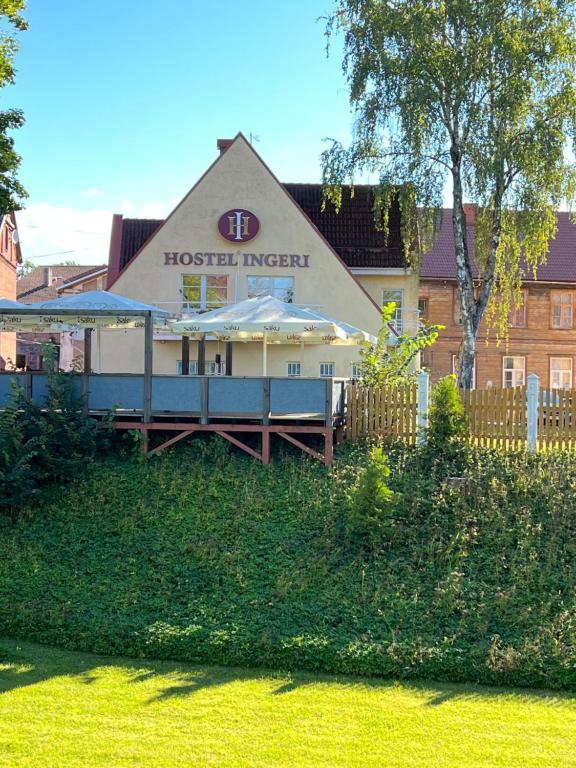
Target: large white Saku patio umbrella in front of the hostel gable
[270, 321]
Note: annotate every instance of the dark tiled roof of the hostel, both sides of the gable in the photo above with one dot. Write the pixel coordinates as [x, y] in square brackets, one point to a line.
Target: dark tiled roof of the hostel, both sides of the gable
[351, 232]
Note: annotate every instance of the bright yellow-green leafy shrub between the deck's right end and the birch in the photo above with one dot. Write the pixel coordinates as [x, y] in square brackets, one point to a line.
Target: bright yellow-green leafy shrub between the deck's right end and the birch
[382, 364]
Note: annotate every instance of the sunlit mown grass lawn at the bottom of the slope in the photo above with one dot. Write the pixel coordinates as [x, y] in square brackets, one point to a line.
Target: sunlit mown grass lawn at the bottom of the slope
[60, 709]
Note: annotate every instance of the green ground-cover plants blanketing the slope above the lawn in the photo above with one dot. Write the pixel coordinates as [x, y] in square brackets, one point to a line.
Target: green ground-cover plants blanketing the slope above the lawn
[204, 555]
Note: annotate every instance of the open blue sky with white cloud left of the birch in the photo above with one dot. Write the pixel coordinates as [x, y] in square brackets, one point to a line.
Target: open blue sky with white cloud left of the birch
[124, 101]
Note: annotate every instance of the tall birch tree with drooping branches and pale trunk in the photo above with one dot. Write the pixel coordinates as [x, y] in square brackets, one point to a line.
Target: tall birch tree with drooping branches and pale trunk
[477, 93]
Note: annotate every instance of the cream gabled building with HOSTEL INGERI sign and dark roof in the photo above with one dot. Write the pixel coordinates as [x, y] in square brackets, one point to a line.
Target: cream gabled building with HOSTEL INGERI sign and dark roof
[239, 233]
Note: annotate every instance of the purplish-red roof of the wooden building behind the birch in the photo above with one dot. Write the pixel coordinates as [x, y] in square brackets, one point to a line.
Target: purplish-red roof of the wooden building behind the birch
[440, 261]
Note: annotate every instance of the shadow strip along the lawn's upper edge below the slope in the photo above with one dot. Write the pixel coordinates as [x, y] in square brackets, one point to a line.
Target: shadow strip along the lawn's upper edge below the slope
[24, 664]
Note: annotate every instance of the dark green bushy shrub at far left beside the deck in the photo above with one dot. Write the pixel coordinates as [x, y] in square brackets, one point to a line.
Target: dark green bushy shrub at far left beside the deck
[48, 442]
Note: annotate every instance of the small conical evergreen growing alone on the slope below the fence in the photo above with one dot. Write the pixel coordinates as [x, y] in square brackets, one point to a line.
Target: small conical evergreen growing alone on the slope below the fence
[370, 522]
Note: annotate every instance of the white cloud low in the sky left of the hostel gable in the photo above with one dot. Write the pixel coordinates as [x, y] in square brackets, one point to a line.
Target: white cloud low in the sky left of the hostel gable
[50, 234]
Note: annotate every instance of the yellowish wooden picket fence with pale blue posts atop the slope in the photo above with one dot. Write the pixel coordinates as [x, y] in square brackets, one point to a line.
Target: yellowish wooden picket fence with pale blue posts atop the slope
[506, 418]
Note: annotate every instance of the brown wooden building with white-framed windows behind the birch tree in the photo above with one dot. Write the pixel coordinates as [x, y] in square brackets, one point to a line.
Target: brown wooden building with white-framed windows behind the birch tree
[542, 332]
